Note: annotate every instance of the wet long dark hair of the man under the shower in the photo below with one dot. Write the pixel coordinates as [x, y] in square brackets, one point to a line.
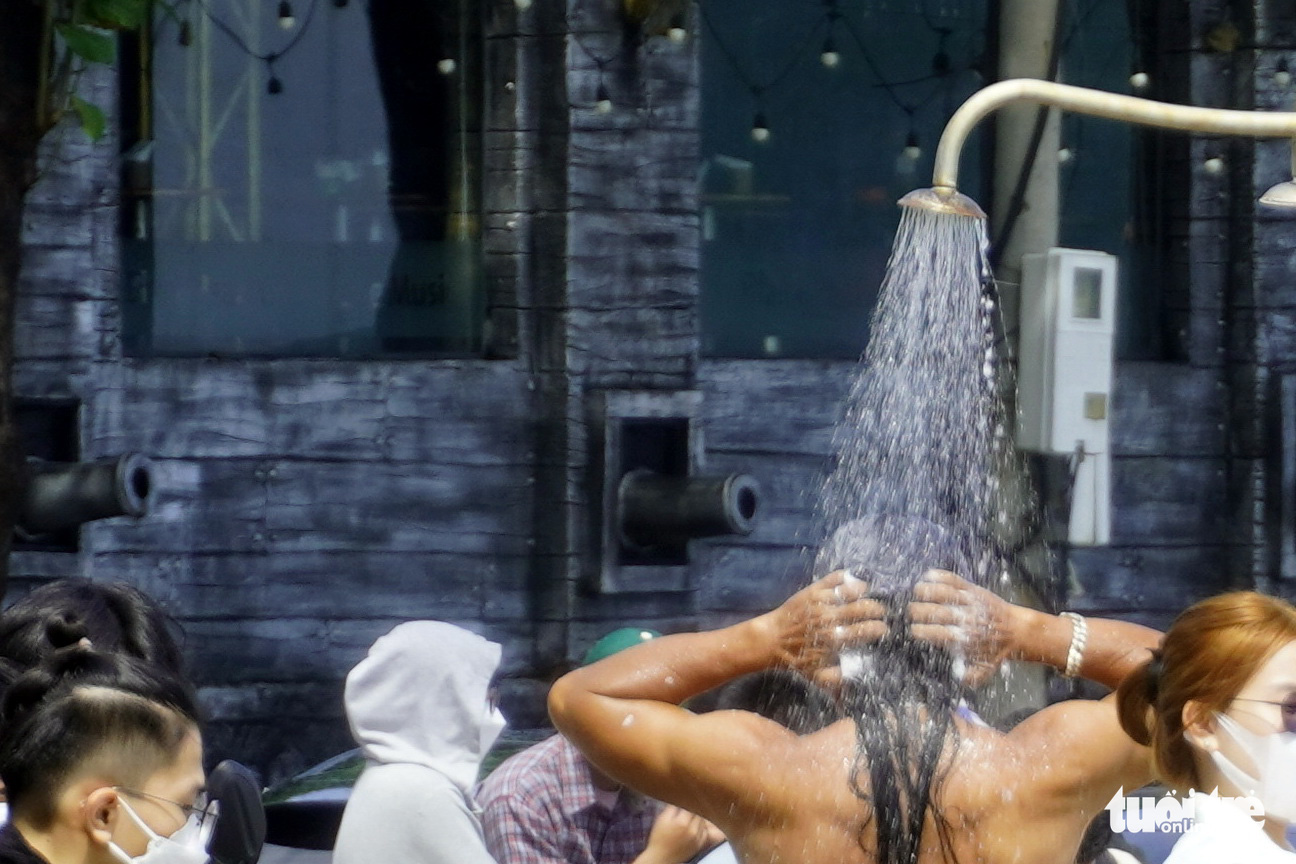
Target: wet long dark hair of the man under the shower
[900, 692]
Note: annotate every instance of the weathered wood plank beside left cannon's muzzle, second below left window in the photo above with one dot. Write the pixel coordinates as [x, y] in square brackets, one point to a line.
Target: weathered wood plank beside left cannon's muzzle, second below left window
[270, 507]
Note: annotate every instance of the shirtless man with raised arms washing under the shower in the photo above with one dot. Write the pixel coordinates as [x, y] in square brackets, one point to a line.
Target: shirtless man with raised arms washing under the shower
[1023, 797]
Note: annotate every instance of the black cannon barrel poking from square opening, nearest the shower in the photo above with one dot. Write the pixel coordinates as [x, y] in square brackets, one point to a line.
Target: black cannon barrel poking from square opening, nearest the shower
[662, 511]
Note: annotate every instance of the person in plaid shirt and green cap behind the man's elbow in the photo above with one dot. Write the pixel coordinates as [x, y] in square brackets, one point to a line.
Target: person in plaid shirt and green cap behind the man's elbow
[549, 805]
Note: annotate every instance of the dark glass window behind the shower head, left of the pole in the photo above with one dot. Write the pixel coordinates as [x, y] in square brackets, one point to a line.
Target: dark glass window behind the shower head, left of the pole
[817, 117]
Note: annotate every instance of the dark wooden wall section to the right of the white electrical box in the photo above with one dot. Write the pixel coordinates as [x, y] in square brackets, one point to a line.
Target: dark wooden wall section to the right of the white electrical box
[1197, 442]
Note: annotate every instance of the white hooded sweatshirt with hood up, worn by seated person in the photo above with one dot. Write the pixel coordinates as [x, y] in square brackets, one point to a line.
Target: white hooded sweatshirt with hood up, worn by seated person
[418, 708]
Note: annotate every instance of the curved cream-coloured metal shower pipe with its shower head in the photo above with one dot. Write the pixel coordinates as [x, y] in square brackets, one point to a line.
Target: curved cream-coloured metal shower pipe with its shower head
[1082, 100]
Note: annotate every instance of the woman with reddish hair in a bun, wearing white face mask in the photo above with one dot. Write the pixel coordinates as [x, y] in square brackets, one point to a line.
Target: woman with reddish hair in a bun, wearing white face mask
[1218, 708]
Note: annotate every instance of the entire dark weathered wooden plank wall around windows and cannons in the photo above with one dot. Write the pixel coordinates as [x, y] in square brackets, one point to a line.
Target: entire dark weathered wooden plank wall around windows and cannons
[305, 507]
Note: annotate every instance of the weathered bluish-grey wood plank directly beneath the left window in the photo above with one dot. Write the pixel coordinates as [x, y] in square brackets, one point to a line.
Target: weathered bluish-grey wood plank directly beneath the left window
[452, 415]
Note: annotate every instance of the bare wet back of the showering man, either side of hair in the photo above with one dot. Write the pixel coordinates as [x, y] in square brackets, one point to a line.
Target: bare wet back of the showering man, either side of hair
[1018, 799]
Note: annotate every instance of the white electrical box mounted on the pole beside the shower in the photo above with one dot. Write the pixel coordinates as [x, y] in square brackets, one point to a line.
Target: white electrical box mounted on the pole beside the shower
[1065, 376]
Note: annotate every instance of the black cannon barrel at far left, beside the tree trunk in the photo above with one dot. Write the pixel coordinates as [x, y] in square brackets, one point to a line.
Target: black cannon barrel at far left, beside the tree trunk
[64, 495]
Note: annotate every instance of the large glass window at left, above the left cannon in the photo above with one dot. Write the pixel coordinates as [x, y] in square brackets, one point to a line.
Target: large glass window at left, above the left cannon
[304, 179]
